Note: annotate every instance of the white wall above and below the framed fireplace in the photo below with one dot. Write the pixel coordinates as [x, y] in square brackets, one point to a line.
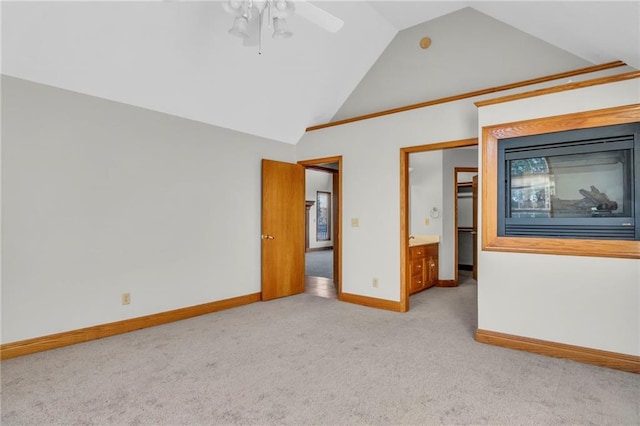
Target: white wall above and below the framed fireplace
[583, 301]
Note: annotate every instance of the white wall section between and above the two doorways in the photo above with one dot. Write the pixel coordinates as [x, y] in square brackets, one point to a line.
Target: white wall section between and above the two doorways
[371, 185]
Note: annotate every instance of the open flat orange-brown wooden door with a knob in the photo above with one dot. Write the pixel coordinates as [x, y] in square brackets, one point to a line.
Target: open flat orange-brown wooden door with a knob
[283, 212]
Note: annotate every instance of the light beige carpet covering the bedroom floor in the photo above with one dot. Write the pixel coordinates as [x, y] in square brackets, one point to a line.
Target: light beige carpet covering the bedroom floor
[308, 360]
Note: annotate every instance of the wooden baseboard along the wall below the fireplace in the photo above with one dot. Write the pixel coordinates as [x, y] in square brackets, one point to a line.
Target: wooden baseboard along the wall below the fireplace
[630, 363]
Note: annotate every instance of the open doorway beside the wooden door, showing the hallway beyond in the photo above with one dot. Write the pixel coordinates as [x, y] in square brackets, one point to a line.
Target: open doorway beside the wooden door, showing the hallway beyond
[323, 227]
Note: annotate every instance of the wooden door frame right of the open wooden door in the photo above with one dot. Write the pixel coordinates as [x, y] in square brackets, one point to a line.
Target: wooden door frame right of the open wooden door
[317, 164]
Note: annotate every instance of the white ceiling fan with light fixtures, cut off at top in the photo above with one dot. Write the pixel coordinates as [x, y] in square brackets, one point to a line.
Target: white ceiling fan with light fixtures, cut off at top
[252, 15]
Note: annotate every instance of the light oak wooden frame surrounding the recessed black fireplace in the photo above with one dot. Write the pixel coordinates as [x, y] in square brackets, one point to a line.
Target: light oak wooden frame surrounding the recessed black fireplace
[561, 246]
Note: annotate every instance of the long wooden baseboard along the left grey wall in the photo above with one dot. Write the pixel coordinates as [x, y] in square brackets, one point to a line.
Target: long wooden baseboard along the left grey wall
[39, 344]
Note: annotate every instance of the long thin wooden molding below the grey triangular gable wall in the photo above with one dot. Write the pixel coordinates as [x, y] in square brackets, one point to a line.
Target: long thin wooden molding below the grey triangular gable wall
[573, 73]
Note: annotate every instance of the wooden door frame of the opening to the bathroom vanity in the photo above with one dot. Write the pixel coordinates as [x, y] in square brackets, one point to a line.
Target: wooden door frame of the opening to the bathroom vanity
[404, 207]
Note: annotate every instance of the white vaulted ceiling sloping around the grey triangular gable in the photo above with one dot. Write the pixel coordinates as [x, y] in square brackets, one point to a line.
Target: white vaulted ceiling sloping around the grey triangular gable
[177, 57]
